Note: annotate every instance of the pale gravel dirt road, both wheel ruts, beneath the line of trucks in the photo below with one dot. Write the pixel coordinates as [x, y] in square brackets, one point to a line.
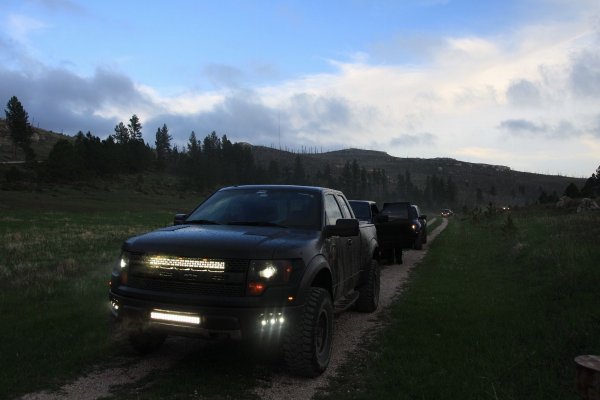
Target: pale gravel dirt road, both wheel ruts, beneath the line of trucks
[350, 327]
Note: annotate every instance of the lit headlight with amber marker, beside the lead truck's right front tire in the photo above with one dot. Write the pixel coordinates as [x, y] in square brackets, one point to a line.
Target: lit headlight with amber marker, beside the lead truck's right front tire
[268, 272]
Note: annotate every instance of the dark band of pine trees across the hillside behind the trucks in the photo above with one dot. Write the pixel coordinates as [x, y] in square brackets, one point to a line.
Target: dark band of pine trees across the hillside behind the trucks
[205, 164]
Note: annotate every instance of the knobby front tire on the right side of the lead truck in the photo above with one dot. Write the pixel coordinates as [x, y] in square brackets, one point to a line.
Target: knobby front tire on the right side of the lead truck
[307, 345]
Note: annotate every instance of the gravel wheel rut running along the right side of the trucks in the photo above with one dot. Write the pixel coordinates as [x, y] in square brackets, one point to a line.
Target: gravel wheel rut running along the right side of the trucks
[350, 327]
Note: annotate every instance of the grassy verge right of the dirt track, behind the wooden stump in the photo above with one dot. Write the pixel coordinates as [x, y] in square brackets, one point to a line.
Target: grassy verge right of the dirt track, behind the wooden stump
[497, 310]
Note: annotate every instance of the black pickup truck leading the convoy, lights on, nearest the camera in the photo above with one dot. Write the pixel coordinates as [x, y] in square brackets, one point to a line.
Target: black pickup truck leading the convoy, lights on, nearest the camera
[260, 262]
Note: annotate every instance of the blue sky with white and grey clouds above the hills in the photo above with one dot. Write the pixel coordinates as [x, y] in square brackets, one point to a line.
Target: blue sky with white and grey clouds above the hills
[509, 82]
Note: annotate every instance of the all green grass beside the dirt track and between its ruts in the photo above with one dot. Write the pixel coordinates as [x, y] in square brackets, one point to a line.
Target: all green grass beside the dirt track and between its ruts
[497, 310]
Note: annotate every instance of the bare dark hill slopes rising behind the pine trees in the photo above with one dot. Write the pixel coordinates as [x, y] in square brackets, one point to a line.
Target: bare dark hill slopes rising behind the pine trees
[475, 183]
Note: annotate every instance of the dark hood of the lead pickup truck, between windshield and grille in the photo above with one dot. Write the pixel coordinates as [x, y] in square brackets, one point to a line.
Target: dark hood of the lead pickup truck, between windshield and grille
[224, 241]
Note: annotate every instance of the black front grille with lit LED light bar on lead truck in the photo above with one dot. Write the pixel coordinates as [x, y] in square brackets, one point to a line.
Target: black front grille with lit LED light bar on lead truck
[194, 276]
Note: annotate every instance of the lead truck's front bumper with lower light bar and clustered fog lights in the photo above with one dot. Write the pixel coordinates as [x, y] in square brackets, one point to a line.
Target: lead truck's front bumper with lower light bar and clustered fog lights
[204, 321]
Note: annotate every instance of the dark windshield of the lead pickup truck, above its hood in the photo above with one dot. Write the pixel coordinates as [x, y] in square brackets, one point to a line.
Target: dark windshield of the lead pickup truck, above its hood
[262, 207]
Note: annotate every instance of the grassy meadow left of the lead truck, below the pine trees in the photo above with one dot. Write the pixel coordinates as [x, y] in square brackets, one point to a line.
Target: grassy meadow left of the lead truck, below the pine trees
[54, 268]
